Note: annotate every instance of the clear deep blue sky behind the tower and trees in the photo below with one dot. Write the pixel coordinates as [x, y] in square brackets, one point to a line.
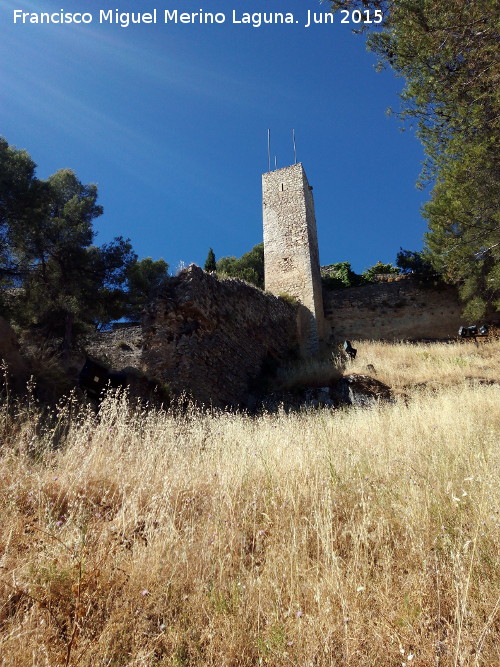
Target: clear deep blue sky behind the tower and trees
[170, 120]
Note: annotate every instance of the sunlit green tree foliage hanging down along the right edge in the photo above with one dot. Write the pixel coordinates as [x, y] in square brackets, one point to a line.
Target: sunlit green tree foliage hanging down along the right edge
[447, 53]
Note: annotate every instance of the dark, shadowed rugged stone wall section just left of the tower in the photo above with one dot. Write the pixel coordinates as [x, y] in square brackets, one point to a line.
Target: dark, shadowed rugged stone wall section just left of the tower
[212, 338]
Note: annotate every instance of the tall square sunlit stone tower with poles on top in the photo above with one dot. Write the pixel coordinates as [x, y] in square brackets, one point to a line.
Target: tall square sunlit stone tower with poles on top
[291, 257]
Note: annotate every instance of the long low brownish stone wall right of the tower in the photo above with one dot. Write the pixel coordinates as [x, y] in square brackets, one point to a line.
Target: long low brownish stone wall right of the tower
[399, 310]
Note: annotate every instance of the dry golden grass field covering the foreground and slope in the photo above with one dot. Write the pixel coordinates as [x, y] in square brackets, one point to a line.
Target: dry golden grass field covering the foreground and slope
[349, 537]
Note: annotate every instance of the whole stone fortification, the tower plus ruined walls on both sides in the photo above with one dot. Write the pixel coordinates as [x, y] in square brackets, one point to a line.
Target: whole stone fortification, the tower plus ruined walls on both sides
[219, 339]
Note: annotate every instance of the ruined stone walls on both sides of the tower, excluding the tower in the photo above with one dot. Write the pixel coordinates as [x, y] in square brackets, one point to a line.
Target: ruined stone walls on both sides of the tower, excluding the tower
[213, 338]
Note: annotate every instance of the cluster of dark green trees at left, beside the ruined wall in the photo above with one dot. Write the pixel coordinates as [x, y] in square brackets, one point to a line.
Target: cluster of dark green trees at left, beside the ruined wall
[47, 249]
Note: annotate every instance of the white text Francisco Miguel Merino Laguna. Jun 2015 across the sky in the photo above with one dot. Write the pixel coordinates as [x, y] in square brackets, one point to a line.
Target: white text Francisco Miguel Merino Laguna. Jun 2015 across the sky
[175, 16]
